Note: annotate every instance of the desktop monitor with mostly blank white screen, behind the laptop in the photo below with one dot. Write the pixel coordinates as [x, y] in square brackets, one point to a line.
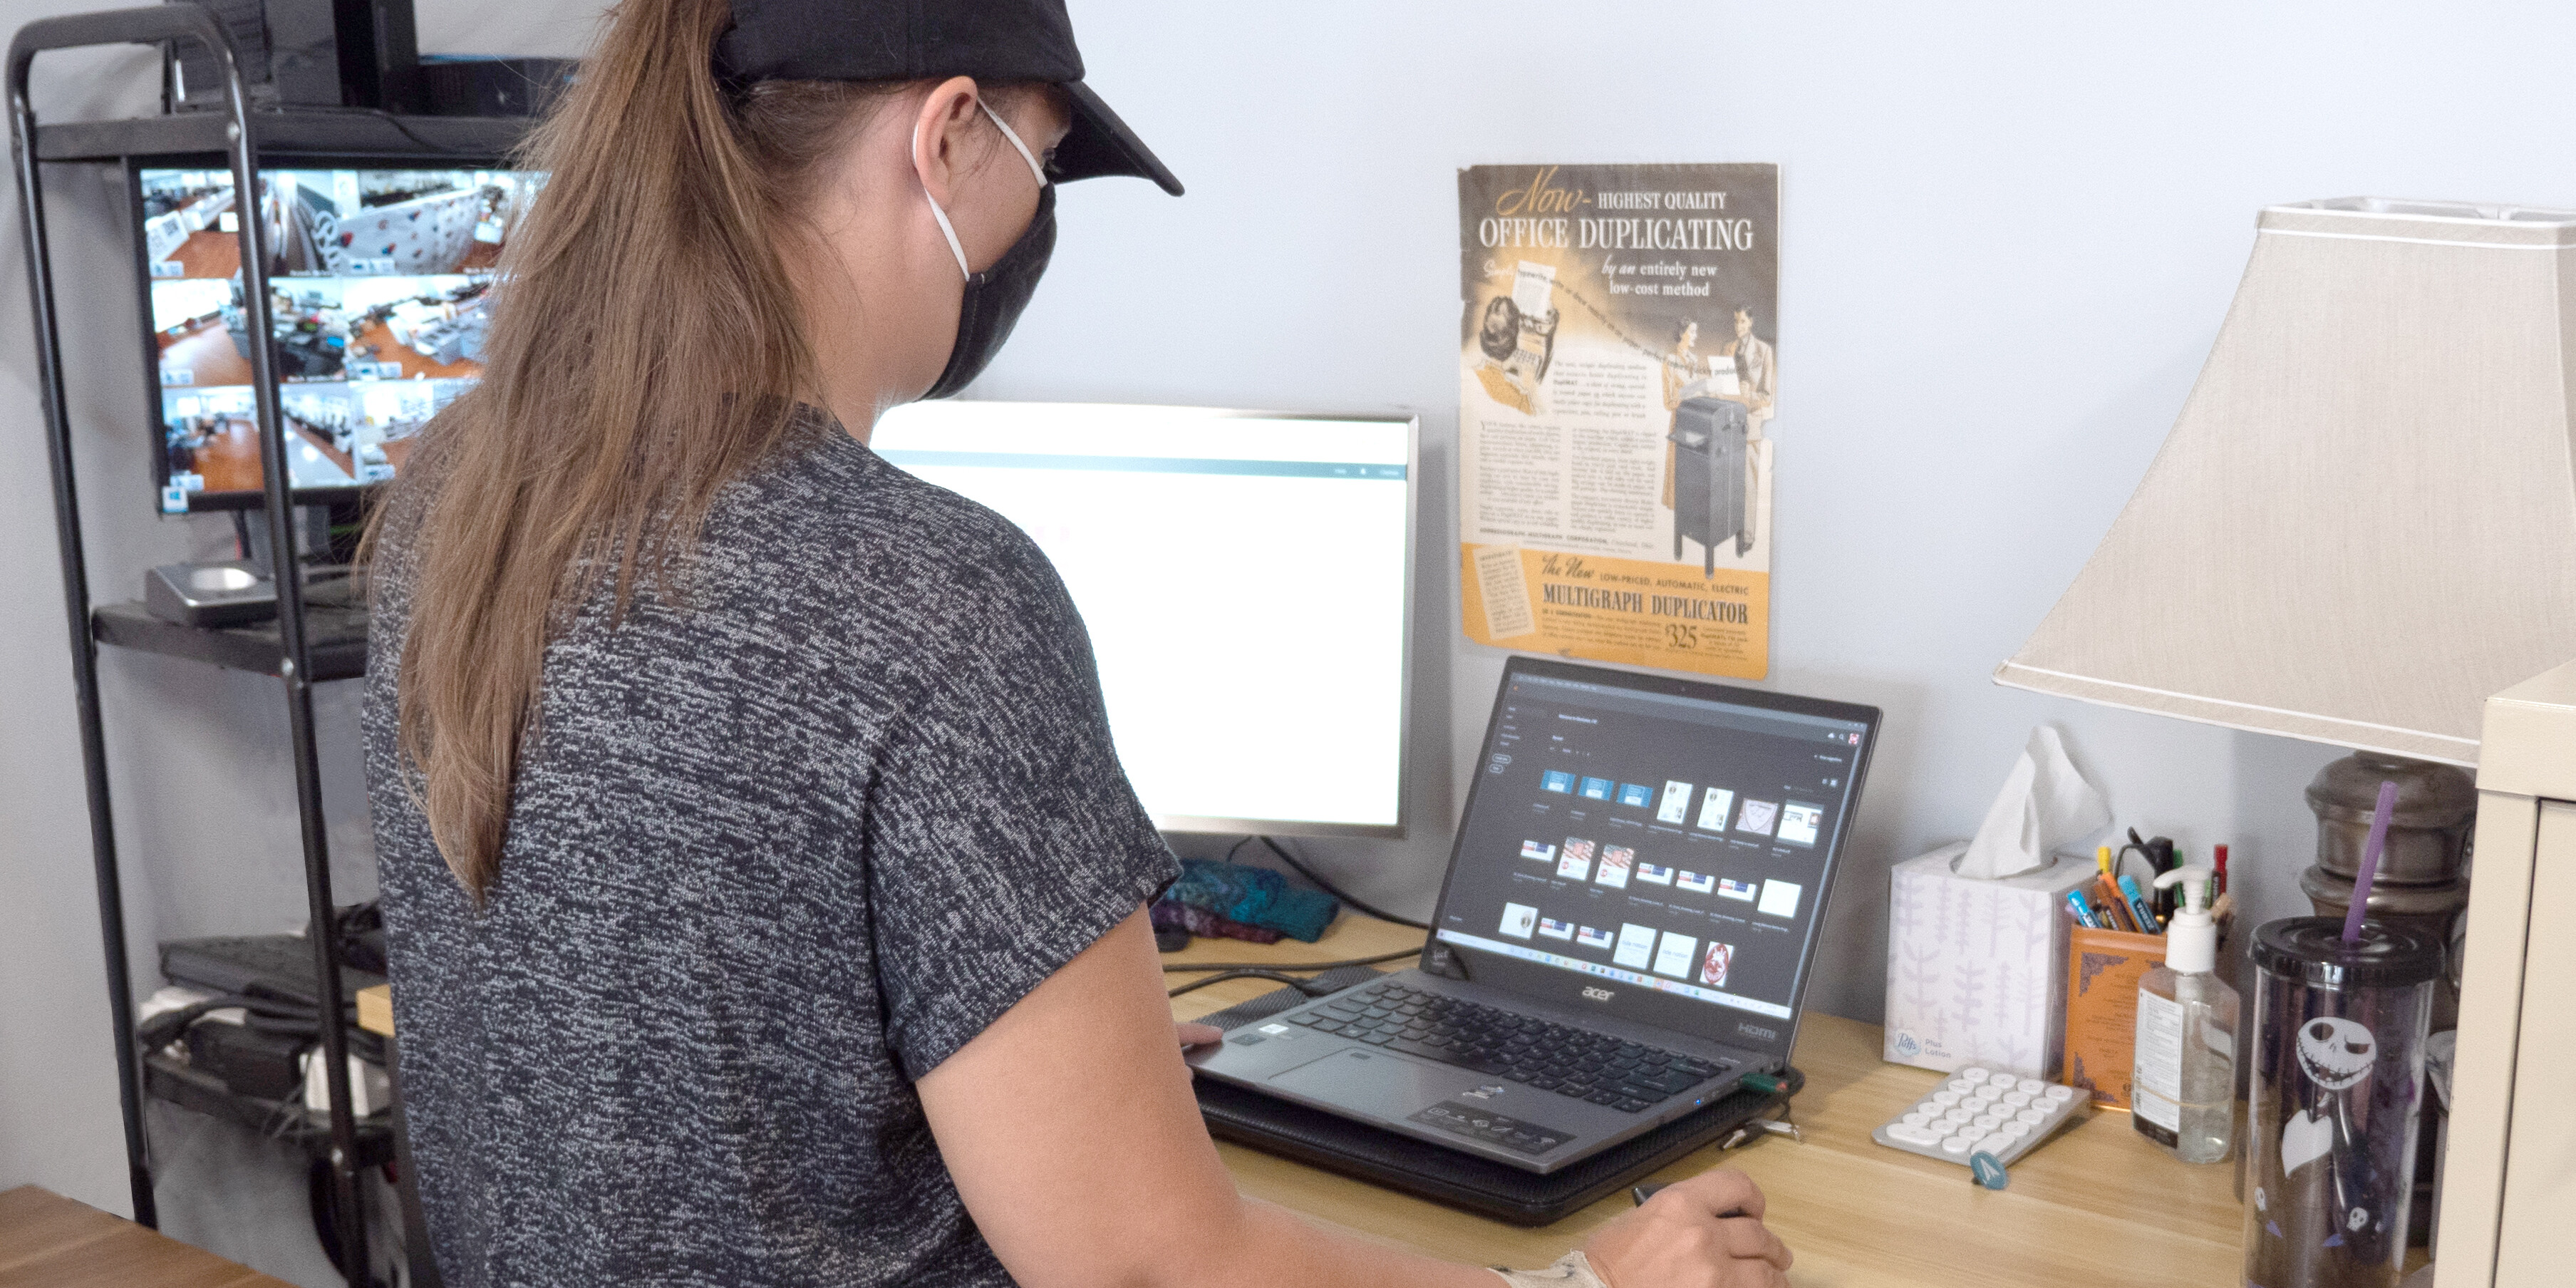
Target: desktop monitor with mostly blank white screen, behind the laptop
[1245, 581]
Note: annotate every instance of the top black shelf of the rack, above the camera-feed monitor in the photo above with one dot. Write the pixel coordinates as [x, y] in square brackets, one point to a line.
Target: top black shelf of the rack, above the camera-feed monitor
[316, 133]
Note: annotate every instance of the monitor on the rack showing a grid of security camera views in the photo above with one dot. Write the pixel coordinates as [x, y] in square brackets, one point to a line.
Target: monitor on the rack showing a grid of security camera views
[377, 318]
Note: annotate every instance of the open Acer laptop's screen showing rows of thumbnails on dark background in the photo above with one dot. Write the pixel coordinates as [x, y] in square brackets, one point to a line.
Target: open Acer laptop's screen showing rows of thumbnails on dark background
[1655, 846]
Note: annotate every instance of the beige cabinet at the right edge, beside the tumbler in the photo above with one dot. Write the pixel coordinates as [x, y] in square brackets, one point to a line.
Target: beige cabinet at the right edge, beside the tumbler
[2510, 1176]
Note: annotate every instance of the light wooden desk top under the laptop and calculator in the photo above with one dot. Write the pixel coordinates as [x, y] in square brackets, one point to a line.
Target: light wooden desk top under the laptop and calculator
[2096, 1207]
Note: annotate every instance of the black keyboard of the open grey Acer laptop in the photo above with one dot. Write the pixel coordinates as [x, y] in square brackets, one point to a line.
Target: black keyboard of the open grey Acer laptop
[1573, 1063]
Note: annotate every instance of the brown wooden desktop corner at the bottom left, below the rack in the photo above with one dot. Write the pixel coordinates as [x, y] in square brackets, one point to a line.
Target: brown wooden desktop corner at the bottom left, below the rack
[53, 1243]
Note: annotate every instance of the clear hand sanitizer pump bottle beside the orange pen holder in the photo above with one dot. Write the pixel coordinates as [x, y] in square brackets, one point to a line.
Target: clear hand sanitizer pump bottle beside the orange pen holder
[2183, 1088]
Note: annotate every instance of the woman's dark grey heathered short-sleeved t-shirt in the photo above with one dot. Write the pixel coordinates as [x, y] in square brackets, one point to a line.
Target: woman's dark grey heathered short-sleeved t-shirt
[774, 857]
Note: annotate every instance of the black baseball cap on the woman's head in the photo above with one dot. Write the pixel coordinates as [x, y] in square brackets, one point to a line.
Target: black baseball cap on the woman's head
[921, 40]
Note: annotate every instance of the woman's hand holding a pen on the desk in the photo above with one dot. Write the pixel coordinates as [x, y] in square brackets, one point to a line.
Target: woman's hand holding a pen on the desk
[1701, 1233]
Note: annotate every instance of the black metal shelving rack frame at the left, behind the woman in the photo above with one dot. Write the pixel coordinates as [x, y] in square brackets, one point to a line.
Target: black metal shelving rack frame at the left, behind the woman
[305, 643]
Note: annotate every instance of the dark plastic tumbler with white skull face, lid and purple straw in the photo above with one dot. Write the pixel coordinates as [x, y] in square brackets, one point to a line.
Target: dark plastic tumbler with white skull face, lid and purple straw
[2335, 1094]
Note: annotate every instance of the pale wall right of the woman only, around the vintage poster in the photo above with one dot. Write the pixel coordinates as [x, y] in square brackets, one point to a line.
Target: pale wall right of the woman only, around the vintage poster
[2008, 241]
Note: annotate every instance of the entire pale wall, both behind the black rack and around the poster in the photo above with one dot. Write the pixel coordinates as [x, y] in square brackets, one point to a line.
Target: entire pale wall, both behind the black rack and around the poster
[2011, 233]
